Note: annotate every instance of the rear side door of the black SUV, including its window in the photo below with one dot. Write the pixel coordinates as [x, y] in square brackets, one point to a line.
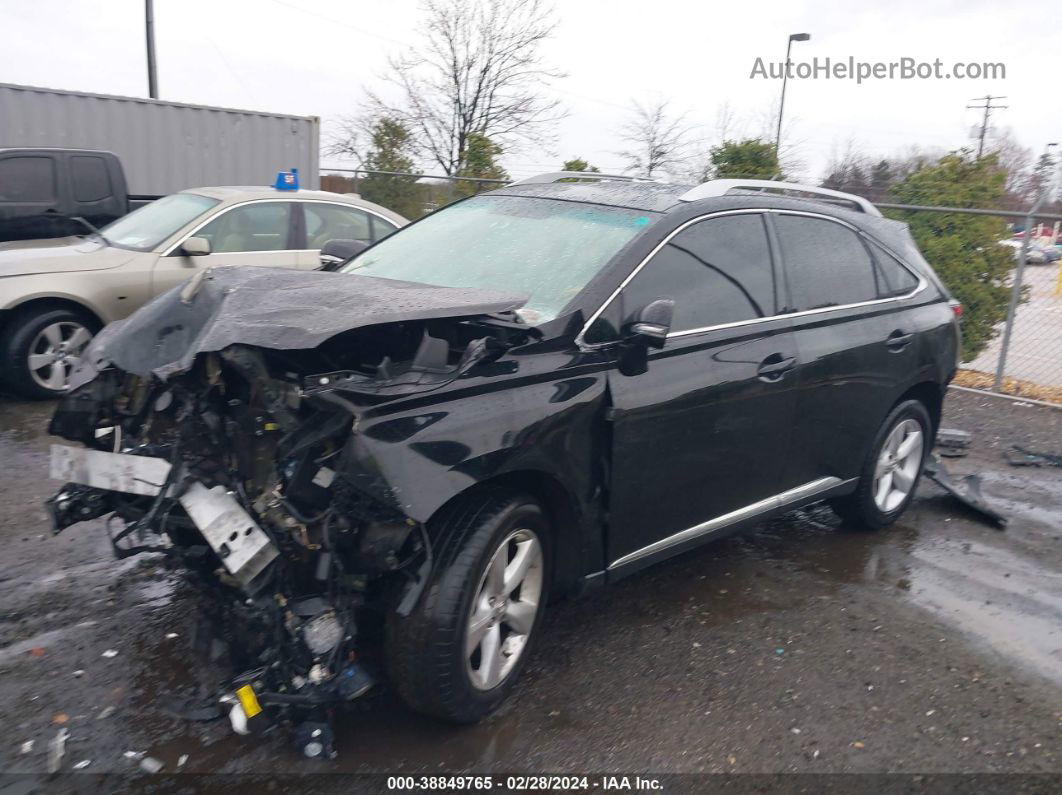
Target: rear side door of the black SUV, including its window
[851, 351]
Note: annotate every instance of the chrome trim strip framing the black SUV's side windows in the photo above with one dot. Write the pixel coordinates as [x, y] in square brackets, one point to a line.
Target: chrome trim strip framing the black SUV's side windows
[922, 283]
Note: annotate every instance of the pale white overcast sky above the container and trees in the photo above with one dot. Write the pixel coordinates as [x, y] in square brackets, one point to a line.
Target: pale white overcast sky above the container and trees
[316, 58]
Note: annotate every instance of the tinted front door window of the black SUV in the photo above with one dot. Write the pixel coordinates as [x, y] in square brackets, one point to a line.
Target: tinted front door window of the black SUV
[716, 272]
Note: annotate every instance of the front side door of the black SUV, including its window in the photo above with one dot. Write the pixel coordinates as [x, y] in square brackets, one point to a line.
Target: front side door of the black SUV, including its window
[706, 430]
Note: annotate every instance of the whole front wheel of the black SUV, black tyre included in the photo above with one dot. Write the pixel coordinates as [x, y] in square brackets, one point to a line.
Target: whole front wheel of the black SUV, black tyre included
[458, 654]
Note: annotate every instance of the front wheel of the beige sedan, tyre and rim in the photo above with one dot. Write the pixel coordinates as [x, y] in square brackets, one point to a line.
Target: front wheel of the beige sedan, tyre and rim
[41, 349]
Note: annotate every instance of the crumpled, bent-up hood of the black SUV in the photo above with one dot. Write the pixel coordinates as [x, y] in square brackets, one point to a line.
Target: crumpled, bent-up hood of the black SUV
[269, 308]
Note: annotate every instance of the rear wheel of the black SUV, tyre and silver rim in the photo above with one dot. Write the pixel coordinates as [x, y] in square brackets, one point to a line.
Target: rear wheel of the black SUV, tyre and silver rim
[892, 472]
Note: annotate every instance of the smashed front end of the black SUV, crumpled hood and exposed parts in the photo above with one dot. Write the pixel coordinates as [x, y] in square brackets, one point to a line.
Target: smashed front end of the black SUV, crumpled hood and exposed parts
[236, 459]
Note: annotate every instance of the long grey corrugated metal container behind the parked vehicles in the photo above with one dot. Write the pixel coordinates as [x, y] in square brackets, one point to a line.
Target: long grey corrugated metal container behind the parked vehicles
[164, 147]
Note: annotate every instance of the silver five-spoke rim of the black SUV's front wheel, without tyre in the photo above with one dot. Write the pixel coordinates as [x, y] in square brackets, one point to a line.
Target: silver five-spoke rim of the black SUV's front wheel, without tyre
[504, 611]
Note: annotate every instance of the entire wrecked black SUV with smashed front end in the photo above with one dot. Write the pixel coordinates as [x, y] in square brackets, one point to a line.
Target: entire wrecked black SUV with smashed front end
[529, 393]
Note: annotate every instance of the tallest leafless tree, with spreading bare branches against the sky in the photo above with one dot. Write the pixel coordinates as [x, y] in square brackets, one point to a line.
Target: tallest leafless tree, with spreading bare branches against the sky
[478, 73]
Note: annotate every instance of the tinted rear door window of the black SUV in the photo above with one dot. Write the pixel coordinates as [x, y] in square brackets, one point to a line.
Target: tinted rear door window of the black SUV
[827, 264]
